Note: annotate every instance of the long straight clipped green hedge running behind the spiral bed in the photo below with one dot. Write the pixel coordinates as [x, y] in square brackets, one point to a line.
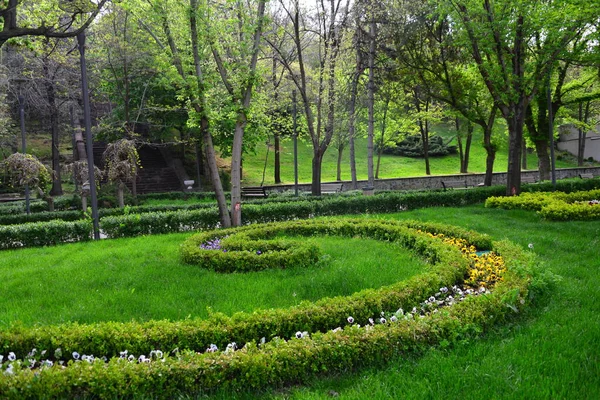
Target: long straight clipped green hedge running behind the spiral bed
[132, 221]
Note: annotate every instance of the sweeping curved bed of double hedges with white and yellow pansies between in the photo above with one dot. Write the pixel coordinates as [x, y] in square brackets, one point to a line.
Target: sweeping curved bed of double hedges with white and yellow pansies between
[277, 346]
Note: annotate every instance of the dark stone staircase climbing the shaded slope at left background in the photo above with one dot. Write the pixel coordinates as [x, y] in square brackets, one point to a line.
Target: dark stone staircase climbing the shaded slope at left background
[154, 176]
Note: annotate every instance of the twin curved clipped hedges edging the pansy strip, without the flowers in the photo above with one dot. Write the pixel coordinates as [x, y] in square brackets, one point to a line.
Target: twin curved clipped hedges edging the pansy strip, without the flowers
[278, 361]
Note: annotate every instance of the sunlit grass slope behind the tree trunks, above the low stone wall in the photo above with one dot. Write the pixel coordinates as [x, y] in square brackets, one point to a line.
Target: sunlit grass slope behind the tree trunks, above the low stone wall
[391, 166]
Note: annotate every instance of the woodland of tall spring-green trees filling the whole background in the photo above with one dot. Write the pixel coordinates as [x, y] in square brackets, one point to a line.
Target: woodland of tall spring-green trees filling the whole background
[224, 75]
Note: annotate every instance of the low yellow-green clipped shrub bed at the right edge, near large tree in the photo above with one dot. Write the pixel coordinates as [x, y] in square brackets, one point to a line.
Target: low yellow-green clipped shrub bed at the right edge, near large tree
[554, 206]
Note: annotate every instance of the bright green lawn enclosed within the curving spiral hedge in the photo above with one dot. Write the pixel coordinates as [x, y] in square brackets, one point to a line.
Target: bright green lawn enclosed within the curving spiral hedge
[142, 278]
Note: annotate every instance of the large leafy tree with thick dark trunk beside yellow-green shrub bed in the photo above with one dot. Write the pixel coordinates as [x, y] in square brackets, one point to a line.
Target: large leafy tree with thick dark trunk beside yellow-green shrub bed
[514, 45]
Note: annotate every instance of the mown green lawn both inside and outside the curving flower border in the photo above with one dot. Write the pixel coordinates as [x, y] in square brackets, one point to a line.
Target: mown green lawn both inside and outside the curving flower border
[552, 351]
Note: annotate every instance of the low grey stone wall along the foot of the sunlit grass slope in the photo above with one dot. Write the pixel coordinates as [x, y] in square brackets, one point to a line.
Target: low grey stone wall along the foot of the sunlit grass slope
[435, 181]
